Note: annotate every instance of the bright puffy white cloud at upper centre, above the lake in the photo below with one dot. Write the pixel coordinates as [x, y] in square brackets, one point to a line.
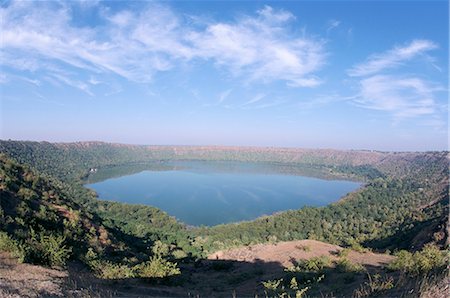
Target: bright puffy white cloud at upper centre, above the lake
[262, 49]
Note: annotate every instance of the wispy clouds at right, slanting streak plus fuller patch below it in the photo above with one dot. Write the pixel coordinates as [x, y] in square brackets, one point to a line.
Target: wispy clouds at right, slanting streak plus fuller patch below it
[401, 94]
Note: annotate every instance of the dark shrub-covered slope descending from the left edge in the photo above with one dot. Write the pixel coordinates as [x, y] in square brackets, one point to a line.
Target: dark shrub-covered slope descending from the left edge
[39, 216]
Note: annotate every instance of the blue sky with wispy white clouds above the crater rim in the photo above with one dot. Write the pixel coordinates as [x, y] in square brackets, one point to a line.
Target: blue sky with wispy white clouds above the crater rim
[336, 74]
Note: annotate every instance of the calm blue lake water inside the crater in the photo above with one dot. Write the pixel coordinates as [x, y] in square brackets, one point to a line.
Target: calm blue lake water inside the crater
[210, 193]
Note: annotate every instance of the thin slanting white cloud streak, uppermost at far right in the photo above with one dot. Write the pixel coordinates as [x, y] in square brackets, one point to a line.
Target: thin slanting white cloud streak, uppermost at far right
[392, 58]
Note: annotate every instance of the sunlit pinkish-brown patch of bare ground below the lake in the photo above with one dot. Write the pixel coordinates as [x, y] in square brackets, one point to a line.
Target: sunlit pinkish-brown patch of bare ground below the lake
[287, 252]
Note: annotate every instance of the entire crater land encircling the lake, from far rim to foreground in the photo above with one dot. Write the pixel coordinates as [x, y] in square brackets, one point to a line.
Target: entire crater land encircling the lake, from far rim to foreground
[49, 218]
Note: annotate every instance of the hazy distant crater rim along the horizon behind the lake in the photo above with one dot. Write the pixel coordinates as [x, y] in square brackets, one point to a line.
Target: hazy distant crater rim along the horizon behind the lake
[73, 160]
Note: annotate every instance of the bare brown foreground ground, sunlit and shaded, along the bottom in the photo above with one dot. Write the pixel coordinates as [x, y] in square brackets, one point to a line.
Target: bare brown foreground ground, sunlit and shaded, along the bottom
[243, 275]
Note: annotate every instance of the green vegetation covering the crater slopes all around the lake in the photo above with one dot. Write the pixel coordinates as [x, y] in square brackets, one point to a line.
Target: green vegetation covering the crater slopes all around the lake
[48, 217]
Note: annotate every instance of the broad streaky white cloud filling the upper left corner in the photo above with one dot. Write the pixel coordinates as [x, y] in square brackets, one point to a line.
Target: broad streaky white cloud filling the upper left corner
[134, 46]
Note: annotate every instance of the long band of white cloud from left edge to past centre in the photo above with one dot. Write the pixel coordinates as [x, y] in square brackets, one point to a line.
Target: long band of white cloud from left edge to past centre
[138, 44]
